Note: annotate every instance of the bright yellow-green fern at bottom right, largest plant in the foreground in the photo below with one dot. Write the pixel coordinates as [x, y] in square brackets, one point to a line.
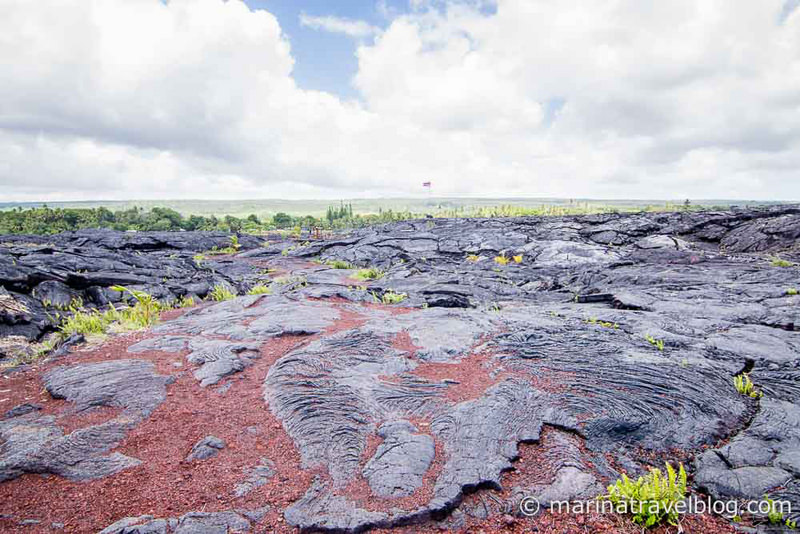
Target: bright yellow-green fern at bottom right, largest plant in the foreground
[651, 499]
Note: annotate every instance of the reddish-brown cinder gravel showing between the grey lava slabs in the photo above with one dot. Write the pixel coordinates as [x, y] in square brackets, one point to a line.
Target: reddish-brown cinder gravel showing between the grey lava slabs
[166, 486]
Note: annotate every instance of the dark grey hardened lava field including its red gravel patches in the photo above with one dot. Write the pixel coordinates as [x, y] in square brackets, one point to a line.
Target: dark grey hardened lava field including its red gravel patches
[608, 345]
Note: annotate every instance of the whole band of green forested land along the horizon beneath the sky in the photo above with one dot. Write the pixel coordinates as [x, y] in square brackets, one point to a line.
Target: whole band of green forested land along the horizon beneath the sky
[45, 219]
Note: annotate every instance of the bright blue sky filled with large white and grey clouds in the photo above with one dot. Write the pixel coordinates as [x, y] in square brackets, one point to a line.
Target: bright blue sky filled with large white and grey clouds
[132, 99]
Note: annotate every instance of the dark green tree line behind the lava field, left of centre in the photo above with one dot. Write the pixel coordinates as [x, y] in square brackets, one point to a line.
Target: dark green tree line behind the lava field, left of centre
[45, 220]
